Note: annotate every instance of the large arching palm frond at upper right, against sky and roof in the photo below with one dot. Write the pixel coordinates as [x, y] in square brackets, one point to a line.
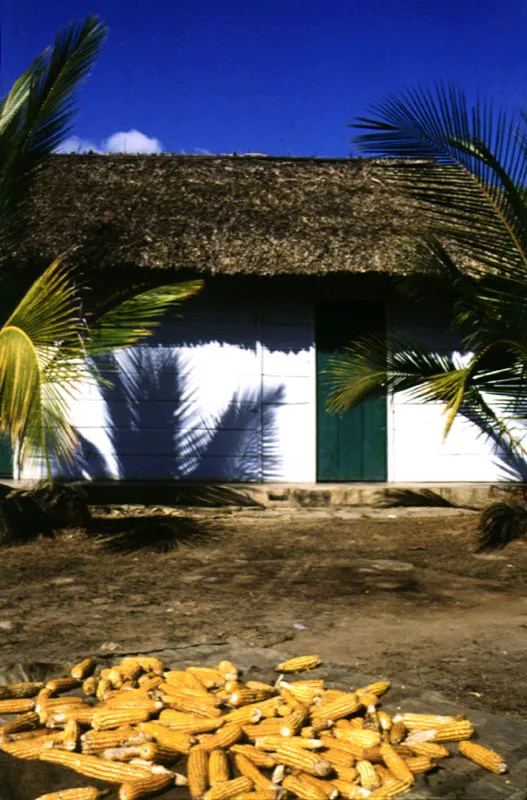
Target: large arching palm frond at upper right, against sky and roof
[463, 165]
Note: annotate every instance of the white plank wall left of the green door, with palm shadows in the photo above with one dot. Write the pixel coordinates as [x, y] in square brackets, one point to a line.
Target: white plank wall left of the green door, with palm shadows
[224, 391]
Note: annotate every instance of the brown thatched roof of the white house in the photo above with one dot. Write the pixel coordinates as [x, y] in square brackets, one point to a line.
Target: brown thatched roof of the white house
[256, 215]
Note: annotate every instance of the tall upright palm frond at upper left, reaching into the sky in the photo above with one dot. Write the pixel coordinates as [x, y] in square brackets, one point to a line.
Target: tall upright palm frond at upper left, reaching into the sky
[37, 114]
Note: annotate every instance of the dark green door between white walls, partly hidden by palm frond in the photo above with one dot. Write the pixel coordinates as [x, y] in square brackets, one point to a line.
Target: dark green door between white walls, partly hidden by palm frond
[350, 446]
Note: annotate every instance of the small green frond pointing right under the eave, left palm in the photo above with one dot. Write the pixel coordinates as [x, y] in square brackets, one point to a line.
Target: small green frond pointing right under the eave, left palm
[136, 317]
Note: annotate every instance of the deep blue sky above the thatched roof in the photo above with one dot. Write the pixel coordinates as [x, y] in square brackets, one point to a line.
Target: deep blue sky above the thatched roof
[280, 76]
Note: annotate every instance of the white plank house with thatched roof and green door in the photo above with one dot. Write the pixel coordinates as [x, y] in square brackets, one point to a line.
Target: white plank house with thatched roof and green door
[299, 256]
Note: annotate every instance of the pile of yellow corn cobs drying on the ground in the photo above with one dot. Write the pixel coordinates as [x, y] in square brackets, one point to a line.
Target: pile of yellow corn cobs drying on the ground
[241, 740]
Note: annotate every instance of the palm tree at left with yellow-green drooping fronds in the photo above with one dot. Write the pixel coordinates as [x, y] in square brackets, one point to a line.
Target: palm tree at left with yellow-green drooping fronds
[46, 343]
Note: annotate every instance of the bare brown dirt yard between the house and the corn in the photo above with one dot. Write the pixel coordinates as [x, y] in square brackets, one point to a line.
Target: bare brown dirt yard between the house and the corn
[391, 593]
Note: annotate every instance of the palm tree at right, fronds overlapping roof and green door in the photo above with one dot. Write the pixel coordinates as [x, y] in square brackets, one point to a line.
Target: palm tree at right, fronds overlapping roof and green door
[464, 167]
